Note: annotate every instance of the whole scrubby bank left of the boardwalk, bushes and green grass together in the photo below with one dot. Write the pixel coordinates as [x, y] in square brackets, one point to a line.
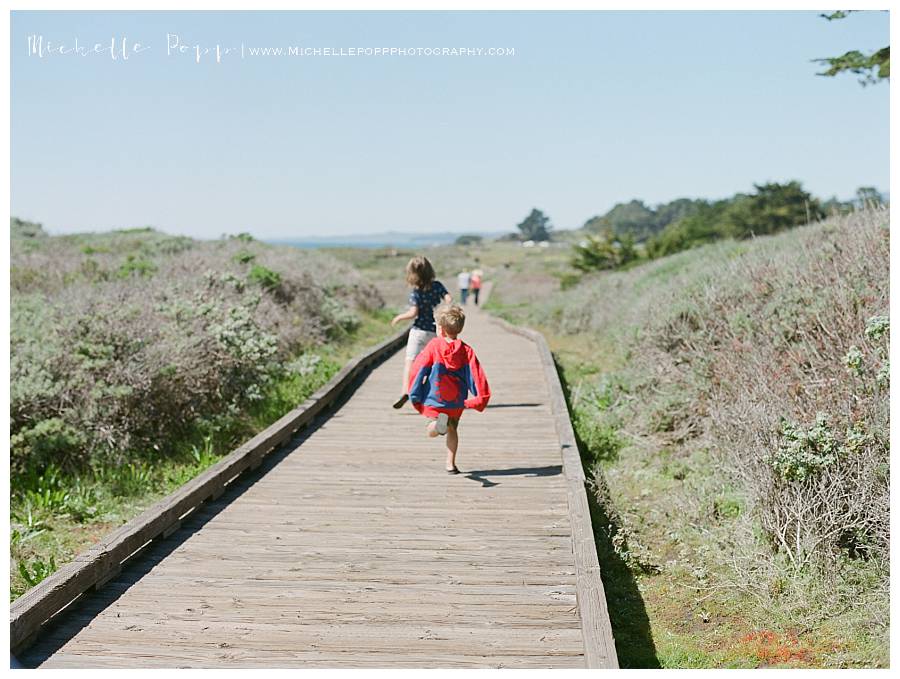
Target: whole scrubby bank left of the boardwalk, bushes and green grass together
[138, 359]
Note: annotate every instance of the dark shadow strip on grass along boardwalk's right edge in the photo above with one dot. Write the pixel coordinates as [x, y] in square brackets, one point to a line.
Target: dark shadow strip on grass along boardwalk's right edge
[627, 613]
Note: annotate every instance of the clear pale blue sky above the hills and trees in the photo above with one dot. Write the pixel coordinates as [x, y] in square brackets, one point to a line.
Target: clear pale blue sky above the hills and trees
[594, 108]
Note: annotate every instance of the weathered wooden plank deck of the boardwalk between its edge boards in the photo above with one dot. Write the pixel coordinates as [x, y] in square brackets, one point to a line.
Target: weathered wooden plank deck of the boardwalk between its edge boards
[351, 547]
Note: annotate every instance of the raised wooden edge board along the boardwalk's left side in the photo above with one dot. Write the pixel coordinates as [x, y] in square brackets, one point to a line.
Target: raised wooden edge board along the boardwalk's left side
[98, 564]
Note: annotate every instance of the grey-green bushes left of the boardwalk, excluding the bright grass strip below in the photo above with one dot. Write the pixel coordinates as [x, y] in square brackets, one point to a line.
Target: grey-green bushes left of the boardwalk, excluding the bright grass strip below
[120, 343]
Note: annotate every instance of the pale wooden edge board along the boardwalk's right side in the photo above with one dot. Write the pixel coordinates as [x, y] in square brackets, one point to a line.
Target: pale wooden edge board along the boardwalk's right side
[599, 645]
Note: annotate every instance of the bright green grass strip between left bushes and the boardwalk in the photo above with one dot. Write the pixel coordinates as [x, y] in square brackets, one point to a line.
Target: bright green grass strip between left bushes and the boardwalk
[55, 515]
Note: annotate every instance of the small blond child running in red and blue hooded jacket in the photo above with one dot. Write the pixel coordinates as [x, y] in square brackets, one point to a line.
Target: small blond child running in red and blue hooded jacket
[446, 379]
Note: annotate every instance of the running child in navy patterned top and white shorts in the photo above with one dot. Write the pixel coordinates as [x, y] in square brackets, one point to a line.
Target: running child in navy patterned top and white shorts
[426, 294]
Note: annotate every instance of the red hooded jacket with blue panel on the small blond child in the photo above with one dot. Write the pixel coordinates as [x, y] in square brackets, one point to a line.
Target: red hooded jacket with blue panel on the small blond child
[446, 377]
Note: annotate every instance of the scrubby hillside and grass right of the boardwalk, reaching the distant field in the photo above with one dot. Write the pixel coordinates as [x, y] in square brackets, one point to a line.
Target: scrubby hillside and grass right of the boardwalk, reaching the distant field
[732, 407]
